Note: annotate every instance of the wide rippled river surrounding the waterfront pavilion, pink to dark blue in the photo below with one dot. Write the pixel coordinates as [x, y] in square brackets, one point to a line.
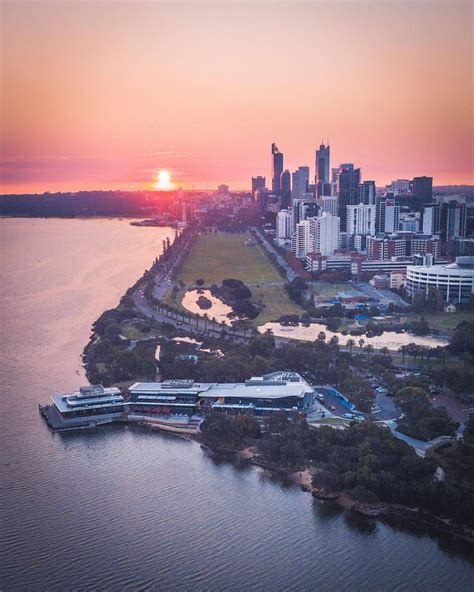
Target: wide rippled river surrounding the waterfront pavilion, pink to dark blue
[125, 509]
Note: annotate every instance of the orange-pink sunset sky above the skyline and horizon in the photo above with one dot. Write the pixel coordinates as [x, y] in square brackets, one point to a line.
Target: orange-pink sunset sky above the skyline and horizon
[102, 94]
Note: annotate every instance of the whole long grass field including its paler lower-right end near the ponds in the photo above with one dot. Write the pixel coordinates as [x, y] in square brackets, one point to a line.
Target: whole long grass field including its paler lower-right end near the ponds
[215, 257]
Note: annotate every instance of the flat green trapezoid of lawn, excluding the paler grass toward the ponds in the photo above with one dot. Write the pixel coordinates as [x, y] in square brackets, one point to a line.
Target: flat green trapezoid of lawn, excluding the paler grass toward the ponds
[215, 257]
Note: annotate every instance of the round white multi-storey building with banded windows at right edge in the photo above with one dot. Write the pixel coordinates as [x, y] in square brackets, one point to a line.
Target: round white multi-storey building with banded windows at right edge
[455, 281]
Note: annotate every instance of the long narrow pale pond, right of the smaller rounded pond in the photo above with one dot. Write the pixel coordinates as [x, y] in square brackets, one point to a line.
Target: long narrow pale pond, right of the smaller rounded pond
[389, 339]
